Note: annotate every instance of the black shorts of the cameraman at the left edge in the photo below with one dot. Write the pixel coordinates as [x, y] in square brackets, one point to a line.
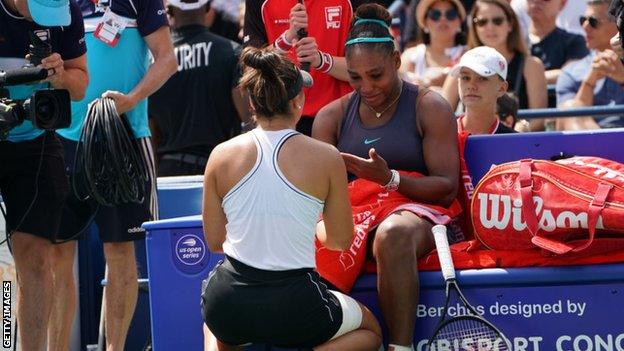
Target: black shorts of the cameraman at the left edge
[33, 185]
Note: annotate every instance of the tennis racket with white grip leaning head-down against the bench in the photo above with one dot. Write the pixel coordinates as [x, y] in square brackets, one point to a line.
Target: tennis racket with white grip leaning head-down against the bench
[467, 332]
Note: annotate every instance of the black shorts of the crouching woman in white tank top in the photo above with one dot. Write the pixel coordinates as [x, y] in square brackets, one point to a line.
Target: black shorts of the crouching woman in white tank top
[242, 304]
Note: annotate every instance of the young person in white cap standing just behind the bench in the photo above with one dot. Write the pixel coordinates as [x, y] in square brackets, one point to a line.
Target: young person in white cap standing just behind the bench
[481, 75]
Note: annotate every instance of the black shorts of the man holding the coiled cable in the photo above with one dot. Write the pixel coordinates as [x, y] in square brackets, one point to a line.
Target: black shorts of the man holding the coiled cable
[118, 223]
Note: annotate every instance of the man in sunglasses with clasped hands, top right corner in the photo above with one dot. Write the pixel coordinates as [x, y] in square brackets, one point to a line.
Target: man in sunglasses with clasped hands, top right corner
[596, 79]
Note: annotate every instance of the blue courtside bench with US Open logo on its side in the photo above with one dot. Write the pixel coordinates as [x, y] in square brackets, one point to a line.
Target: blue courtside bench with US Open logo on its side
[555, 308]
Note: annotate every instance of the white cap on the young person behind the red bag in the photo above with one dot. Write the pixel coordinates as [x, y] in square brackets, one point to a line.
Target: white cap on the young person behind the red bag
[484, 60]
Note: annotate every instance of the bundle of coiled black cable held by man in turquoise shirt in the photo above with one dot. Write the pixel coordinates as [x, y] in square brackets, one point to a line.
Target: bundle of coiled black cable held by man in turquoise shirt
[108, 167]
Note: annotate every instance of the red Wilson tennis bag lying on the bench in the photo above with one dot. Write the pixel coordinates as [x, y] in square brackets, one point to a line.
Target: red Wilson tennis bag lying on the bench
[558, 206]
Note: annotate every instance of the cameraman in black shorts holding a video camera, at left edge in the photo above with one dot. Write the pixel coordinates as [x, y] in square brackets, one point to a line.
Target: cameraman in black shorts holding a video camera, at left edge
[32, 175]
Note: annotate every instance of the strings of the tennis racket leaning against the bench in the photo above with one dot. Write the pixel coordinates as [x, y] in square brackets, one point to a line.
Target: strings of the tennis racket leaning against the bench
[468, 334]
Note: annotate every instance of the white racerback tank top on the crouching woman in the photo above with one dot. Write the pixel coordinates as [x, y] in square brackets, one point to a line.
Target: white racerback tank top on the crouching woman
[271, 224]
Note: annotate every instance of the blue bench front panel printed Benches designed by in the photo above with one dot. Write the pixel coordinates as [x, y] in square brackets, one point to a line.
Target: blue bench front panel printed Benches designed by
[537, 318]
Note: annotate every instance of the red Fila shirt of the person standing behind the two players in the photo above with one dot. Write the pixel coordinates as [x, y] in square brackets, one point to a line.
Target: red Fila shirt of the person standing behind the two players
[329, 22]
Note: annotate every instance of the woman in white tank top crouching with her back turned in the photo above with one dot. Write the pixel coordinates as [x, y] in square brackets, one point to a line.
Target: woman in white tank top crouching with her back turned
[263, 194]
